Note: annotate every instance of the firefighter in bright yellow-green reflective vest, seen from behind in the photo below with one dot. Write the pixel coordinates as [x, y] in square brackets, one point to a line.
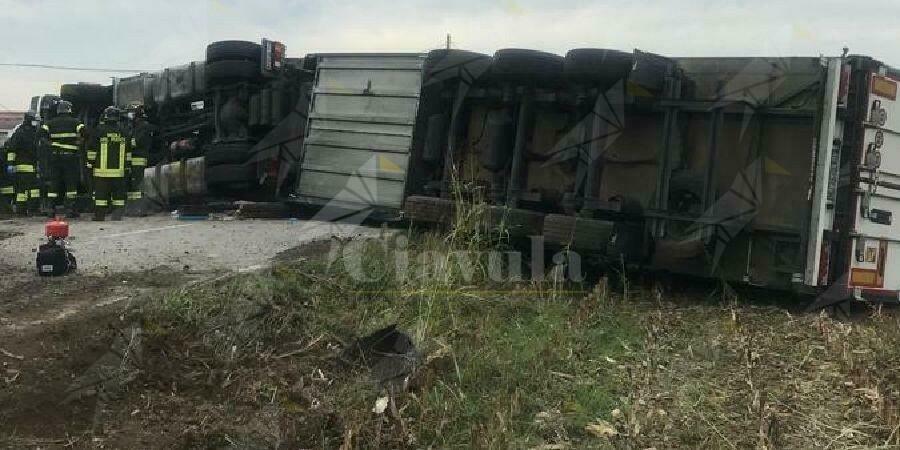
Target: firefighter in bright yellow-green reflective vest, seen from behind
[109, 147]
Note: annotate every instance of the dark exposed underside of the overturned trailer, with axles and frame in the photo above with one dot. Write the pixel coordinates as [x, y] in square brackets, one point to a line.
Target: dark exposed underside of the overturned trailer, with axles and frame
[690, 165]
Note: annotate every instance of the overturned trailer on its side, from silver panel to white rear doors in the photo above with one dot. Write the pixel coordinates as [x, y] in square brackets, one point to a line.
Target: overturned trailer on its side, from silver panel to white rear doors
[774, 172]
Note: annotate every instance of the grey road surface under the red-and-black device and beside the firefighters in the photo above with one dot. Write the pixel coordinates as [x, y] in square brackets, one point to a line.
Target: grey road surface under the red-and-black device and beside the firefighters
[143, 243]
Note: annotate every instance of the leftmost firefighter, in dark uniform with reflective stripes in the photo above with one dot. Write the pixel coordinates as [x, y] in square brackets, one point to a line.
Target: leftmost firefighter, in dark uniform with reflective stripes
[22, 156]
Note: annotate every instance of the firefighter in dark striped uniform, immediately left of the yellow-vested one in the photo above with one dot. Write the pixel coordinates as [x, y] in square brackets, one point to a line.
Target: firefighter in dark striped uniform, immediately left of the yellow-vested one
[65, 137]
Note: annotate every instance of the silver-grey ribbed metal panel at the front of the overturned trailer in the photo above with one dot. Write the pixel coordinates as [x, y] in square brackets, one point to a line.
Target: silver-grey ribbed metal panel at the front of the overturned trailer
[359, 137]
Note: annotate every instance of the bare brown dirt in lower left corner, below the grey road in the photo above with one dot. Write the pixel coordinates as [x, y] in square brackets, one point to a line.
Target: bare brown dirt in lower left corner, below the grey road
[52, 333]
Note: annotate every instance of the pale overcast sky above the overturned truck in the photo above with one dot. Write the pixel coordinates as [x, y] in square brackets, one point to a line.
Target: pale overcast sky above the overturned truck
[153, 35]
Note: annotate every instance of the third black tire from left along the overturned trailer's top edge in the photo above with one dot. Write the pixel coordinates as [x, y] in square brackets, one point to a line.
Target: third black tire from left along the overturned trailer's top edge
[598, 65]
